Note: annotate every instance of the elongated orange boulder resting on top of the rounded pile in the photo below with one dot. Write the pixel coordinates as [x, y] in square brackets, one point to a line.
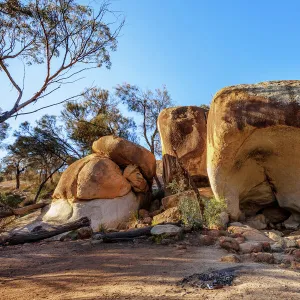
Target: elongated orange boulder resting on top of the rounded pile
[125, 153]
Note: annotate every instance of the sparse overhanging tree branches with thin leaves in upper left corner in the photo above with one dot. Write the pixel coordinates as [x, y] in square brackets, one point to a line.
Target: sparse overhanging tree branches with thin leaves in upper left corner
[66, 36]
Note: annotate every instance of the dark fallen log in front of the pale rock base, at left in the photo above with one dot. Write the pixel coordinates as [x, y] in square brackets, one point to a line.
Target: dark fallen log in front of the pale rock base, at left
[37, 235]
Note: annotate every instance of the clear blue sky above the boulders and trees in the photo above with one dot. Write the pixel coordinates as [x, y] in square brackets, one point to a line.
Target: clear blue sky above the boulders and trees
[194, 47]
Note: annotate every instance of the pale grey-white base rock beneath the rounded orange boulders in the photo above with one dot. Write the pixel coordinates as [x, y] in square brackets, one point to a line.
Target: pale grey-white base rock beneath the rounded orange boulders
[102, 212]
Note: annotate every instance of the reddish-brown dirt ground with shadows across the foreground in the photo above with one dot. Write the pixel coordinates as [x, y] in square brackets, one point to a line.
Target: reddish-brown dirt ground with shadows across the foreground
[81, 270]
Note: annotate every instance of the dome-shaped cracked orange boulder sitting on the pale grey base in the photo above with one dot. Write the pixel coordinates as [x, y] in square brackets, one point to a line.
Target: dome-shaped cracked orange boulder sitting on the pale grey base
[92, 177]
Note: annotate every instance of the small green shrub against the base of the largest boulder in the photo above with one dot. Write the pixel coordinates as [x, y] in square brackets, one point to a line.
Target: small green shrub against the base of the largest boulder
[213, 208]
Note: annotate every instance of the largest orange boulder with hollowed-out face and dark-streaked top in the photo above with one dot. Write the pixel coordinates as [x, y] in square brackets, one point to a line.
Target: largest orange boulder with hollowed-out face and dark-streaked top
[254, 147]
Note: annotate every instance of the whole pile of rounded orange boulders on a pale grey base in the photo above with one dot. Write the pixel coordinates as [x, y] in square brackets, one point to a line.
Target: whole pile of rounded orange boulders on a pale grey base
[107, 186]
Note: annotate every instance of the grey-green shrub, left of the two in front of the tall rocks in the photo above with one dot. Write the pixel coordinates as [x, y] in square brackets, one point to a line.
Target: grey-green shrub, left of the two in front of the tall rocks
[190, 212]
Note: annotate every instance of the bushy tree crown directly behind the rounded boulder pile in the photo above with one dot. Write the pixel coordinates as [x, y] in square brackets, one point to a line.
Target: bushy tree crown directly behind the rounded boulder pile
[96, 115]
